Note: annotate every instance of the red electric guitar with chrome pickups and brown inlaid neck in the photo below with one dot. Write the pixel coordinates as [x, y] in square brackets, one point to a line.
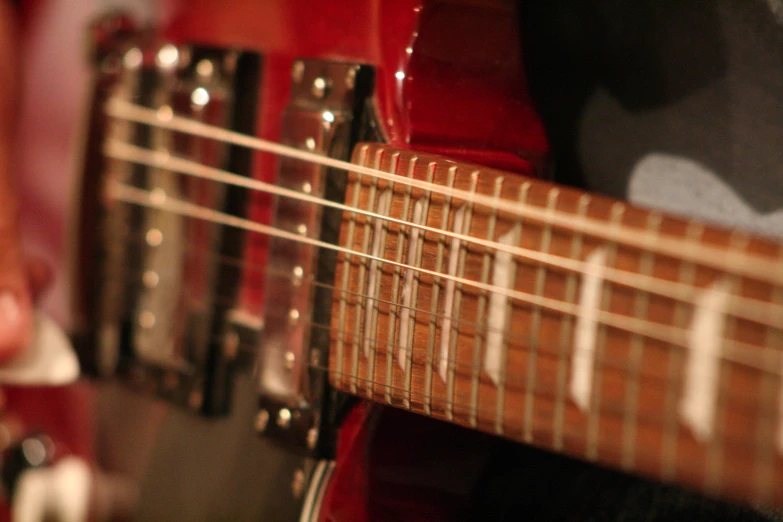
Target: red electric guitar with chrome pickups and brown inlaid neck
[299, 219]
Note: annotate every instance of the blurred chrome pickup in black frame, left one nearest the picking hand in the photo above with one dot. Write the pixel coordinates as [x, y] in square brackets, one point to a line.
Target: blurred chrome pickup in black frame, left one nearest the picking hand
[155, 287]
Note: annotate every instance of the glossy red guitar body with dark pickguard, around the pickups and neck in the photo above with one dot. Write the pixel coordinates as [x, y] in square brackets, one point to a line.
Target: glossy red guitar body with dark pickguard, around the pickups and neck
[450, 80]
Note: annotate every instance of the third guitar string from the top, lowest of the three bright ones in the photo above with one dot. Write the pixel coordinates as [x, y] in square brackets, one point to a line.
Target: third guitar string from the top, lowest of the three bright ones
[649, 329]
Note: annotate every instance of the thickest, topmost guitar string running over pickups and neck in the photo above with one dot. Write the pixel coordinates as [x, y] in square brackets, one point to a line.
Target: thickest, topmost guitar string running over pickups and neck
[745, 263]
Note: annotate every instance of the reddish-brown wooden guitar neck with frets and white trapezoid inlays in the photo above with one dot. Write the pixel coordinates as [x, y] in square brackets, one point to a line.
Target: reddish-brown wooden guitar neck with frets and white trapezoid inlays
[565, 320]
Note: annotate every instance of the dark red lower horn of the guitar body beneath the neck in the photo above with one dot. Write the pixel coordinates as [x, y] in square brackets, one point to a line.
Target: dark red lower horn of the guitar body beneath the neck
[396, 467]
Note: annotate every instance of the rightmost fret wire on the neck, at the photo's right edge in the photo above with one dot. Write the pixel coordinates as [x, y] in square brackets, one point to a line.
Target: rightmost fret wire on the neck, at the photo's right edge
[769, 416]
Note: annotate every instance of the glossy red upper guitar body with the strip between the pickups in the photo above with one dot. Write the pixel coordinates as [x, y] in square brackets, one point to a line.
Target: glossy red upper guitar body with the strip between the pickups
[449, 78]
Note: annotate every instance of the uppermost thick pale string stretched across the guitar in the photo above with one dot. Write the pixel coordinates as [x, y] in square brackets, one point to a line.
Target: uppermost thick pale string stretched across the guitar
[711, 256]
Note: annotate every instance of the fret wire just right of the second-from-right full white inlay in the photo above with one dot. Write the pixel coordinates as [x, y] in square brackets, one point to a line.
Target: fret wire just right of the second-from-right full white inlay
[593, 417]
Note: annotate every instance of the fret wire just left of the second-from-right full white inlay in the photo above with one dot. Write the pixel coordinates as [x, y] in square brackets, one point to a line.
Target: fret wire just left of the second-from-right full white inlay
[566, 333]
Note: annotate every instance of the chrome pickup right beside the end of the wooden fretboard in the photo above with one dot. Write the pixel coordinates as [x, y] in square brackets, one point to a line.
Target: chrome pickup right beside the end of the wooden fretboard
[322, 116]
